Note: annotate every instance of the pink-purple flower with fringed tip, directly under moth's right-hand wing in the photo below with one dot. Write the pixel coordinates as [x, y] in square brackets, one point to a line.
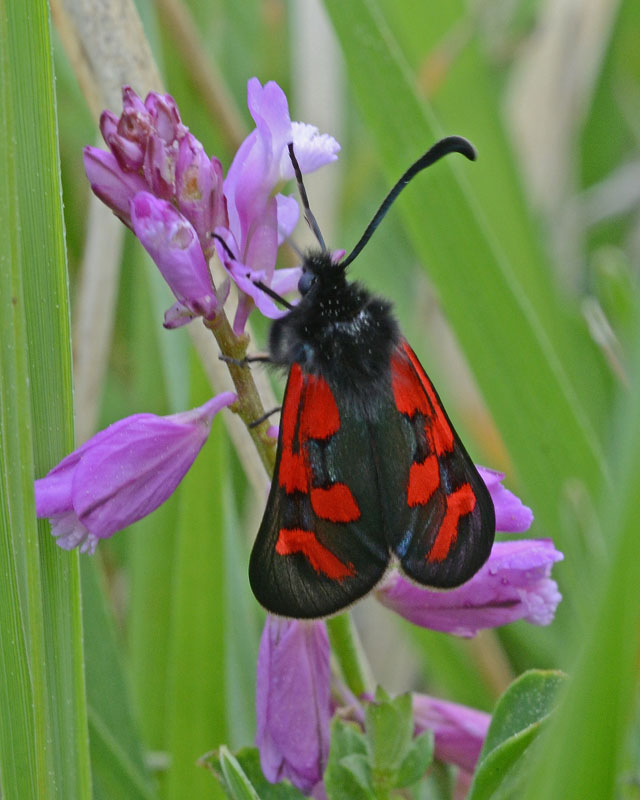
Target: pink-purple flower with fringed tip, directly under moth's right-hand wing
[513, 584]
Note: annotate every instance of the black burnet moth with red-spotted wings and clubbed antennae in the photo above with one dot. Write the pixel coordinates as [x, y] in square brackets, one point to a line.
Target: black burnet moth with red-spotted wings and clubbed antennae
[369, 470]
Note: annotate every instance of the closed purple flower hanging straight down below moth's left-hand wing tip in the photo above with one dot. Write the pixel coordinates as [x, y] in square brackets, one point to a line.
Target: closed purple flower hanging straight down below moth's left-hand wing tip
[292, 701]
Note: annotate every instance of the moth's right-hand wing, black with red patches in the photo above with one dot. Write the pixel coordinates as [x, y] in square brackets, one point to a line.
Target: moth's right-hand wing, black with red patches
[441, 520]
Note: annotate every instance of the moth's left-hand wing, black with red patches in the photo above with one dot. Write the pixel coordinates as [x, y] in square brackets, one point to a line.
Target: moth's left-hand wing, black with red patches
[321, 544]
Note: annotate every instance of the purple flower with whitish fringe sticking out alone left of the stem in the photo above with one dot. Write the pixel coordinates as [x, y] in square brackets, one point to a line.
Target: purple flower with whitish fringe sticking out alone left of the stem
[122, 474]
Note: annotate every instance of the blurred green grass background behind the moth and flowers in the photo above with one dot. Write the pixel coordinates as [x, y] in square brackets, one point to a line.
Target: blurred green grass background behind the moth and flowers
[514, 278]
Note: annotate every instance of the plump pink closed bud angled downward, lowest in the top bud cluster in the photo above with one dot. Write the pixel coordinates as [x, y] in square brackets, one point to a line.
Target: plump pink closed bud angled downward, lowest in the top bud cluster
[173, 244]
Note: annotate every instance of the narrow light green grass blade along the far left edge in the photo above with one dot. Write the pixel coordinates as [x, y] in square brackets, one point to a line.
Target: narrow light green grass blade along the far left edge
[22, 770]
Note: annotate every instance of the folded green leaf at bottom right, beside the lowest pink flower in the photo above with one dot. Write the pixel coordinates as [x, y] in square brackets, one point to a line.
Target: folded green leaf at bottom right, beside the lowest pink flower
[515, 724]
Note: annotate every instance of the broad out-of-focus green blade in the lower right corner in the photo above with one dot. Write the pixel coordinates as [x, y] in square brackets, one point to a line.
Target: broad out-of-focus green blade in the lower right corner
[583, 754]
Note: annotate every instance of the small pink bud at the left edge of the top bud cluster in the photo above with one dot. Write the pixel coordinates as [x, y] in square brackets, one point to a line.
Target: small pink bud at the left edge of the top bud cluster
[110, 183]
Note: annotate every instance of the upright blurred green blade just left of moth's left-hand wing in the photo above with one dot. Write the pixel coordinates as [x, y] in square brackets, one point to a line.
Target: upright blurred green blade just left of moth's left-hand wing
[196, 706]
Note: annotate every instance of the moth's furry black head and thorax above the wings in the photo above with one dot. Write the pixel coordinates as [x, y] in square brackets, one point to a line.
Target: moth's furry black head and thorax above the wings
[338, 330]
